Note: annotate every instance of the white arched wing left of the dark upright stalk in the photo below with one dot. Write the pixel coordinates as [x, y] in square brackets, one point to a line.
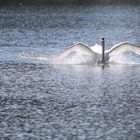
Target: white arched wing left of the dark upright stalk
[76, 54]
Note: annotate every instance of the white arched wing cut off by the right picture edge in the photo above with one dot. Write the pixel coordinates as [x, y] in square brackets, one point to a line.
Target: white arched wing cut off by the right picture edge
[124, 53]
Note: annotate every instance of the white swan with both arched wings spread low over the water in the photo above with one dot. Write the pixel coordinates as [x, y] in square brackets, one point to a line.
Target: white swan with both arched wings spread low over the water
[80, 53]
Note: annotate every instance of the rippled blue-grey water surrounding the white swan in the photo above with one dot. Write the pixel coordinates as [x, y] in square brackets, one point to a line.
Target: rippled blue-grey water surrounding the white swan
[39, 100]
